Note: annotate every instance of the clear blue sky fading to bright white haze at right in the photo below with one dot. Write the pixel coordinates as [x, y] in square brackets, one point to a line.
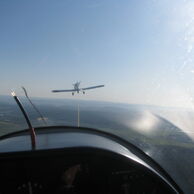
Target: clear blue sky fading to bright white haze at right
[142, 50]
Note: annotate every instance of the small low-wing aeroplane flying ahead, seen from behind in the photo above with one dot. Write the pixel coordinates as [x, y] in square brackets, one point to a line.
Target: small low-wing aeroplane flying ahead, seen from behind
[78, 89]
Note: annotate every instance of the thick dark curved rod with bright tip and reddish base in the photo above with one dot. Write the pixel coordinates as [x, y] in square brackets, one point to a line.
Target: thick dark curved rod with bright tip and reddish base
[32, 132]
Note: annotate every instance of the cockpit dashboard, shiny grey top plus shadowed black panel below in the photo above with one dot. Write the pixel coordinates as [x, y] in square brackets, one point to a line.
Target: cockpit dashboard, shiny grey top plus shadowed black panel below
[78, 162]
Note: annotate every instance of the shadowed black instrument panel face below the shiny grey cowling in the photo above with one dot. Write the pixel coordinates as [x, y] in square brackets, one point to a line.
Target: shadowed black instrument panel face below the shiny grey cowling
[93, 171]
